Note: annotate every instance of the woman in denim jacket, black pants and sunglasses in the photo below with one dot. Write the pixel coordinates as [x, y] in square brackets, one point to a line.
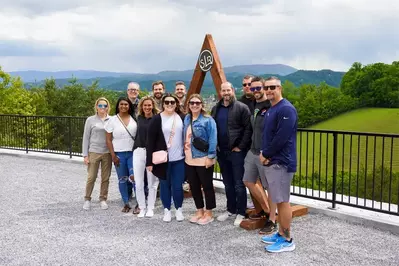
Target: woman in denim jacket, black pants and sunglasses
[200, 164]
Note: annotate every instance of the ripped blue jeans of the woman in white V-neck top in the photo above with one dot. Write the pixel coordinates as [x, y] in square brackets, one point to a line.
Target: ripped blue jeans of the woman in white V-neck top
[124, 170]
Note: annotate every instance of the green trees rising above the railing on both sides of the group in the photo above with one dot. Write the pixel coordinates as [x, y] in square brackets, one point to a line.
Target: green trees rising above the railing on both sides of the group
[375, 85]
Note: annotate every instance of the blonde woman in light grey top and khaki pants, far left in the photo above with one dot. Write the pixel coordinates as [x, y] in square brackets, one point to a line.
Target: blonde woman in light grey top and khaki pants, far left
[96, 152]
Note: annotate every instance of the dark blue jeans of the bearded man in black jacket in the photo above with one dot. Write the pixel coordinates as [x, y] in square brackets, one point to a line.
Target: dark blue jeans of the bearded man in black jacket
[232, 169]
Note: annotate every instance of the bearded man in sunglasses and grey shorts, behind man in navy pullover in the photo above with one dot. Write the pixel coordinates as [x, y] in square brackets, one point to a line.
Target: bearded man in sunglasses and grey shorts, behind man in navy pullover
[253, 168]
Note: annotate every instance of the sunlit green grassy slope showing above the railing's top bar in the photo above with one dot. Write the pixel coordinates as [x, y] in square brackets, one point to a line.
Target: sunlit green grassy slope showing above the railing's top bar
[379, 120]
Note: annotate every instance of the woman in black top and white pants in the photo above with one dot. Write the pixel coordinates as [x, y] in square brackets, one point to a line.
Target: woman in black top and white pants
[146, 110]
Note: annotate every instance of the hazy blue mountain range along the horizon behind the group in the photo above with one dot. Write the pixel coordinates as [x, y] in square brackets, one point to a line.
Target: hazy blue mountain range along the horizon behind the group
[234, 74]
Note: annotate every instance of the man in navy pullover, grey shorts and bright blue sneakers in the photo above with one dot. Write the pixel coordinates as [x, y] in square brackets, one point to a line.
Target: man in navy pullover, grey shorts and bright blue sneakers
[279, 158]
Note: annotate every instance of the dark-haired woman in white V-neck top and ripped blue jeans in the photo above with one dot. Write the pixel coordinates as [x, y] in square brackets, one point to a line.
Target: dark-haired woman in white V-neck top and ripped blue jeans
[121, 131]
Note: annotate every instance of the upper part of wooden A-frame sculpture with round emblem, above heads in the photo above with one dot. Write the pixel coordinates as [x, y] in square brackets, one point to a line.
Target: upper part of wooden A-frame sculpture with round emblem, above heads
[208, 60]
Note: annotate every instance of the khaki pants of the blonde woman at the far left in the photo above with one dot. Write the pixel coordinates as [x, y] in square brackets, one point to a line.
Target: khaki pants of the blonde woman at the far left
[106, 164]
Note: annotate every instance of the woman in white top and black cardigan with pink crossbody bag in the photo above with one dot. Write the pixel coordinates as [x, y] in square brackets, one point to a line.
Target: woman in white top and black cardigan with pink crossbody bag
[165, 157]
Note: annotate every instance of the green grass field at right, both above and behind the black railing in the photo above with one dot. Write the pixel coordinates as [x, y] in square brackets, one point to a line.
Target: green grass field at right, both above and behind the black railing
[374, 160]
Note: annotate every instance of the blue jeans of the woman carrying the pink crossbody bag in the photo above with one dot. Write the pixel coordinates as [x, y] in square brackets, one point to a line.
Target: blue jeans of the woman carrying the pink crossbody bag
[173, 185]
